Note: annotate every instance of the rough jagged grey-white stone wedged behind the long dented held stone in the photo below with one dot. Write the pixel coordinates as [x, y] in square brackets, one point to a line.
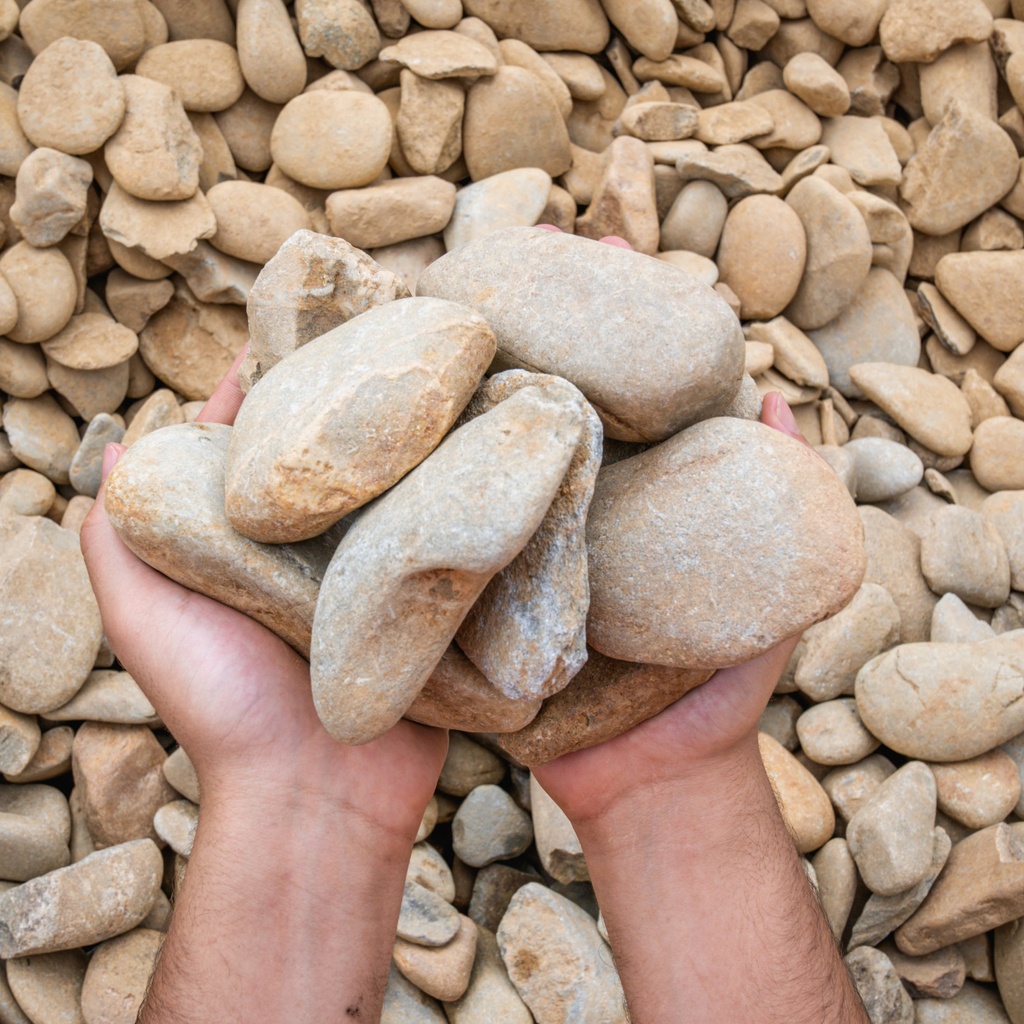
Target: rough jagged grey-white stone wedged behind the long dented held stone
[528, 631]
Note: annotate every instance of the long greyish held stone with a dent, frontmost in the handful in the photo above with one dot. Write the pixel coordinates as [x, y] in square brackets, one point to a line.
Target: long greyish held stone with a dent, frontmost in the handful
[409, 572]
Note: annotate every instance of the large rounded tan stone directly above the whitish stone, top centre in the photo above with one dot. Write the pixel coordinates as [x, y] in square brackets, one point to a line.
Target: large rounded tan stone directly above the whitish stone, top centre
[515, 106]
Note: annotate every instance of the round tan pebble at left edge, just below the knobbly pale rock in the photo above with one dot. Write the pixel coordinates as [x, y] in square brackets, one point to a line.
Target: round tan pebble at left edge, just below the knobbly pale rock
[45, 288]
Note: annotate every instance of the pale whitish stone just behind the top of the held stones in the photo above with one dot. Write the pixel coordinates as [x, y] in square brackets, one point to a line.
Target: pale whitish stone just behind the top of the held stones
[510, 199]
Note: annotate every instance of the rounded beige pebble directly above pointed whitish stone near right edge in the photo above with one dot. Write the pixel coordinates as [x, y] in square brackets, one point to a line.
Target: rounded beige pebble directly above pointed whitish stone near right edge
[964, 554]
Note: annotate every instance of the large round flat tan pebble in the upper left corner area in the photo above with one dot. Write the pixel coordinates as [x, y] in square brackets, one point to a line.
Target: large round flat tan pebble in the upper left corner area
[71, 98]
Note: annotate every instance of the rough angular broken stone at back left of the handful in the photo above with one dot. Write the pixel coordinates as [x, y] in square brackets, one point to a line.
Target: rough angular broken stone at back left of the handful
[314, 284]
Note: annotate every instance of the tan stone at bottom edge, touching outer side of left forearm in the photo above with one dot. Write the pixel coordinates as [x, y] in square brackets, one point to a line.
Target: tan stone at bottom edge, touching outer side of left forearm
[118, 977]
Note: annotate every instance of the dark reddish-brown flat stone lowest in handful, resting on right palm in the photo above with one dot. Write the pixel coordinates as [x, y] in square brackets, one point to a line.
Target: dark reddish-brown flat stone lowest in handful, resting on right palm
[606, 699]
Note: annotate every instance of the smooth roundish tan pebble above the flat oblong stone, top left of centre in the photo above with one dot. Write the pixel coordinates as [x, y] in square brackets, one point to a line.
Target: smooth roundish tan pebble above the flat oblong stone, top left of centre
[353, 153]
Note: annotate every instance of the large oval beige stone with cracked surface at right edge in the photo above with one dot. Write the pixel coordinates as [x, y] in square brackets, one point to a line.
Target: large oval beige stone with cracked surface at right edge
[917, 698]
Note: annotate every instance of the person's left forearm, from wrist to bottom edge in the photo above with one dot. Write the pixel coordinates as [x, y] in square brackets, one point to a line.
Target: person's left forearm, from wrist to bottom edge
[288, 912]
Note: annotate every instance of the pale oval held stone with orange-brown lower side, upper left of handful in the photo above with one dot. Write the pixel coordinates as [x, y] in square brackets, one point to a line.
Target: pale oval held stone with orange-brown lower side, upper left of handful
[349, 415]
